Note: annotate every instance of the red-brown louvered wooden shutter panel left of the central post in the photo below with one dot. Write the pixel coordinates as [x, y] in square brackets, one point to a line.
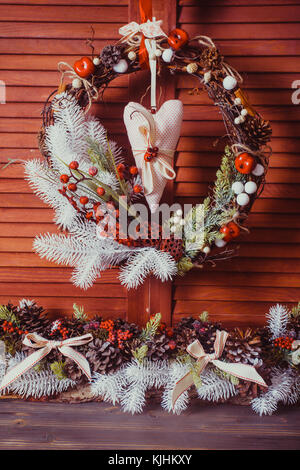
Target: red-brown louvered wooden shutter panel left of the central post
[35, 36]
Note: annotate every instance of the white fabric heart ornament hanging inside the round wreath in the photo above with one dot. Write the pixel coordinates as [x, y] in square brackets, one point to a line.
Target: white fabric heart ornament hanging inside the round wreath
[153, 139]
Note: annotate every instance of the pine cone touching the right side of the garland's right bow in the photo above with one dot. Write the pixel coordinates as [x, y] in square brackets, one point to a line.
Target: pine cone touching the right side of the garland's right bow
[244, 347]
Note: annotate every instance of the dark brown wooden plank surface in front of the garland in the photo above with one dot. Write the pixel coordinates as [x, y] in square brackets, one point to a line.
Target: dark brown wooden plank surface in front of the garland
[94, 426]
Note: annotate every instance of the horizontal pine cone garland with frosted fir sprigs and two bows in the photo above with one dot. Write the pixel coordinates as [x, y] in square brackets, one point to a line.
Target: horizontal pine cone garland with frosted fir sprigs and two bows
[93, 359]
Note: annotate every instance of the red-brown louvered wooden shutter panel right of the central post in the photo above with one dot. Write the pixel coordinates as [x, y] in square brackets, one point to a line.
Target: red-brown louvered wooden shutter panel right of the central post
[261, 39]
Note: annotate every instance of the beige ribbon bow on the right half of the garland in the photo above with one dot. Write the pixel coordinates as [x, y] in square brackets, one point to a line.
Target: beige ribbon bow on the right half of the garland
[195, 349]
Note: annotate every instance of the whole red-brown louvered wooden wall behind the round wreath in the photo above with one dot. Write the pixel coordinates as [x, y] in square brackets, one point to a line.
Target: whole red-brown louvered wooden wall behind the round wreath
[261, 38]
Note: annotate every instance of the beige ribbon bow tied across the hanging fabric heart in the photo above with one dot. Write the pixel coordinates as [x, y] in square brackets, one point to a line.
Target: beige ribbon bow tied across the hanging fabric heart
[162, 163]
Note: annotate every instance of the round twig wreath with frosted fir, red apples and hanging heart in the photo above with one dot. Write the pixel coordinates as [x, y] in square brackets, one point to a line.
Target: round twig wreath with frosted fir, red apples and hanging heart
[95, 192]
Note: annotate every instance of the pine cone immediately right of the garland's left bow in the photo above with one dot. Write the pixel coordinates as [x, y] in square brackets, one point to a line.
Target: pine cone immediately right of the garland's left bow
[104, 357]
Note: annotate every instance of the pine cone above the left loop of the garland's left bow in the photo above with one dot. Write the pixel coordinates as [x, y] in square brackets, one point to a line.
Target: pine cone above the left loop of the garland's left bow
[32, 317]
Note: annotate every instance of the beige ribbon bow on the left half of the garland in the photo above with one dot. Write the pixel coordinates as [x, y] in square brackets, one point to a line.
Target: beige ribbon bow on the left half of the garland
[44, 347]
